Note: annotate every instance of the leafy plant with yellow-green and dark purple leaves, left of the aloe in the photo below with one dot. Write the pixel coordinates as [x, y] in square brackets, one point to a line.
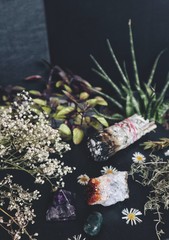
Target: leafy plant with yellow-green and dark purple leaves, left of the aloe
[72, 104]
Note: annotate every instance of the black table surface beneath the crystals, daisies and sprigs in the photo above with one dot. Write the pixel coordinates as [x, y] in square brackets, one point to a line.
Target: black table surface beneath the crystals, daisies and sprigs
[113, 226]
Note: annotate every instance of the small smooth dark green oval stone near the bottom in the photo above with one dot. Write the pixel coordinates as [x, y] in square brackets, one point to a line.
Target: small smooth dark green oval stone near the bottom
[93, 223]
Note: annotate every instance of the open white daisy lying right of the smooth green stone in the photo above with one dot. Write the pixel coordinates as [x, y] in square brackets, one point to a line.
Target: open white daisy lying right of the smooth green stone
[131, 216]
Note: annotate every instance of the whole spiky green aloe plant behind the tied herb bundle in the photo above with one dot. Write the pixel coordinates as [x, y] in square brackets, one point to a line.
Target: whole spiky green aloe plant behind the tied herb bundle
[141, 98]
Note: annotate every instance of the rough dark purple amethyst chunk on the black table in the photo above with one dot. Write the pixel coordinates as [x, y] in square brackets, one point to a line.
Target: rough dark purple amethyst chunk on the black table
[62, 208]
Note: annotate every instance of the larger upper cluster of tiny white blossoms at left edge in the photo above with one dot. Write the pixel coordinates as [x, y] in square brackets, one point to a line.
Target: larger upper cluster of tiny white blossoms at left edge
[28, 142]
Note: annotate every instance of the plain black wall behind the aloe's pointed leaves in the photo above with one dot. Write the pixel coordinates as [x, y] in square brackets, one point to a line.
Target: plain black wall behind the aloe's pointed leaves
[78, 28]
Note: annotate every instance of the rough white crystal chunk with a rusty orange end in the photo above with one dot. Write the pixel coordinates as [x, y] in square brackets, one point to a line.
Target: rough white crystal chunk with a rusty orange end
[108, 189]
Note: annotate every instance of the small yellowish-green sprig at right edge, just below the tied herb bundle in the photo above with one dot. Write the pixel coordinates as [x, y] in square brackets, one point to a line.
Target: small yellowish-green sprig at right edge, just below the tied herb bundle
[156, 145]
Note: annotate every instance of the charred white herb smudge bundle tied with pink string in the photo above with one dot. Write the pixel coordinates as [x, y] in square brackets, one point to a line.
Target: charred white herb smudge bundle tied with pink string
[118, 136]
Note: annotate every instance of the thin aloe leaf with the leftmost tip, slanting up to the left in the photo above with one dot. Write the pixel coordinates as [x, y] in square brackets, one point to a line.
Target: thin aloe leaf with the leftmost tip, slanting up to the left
[105, 76]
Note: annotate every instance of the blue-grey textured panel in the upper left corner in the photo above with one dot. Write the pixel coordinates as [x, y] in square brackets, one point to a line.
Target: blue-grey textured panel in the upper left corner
[23, 40]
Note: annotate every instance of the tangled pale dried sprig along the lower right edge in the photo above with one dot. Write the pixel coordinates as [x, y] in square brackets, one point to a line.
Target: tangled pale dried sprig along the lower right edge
[154, 174]
